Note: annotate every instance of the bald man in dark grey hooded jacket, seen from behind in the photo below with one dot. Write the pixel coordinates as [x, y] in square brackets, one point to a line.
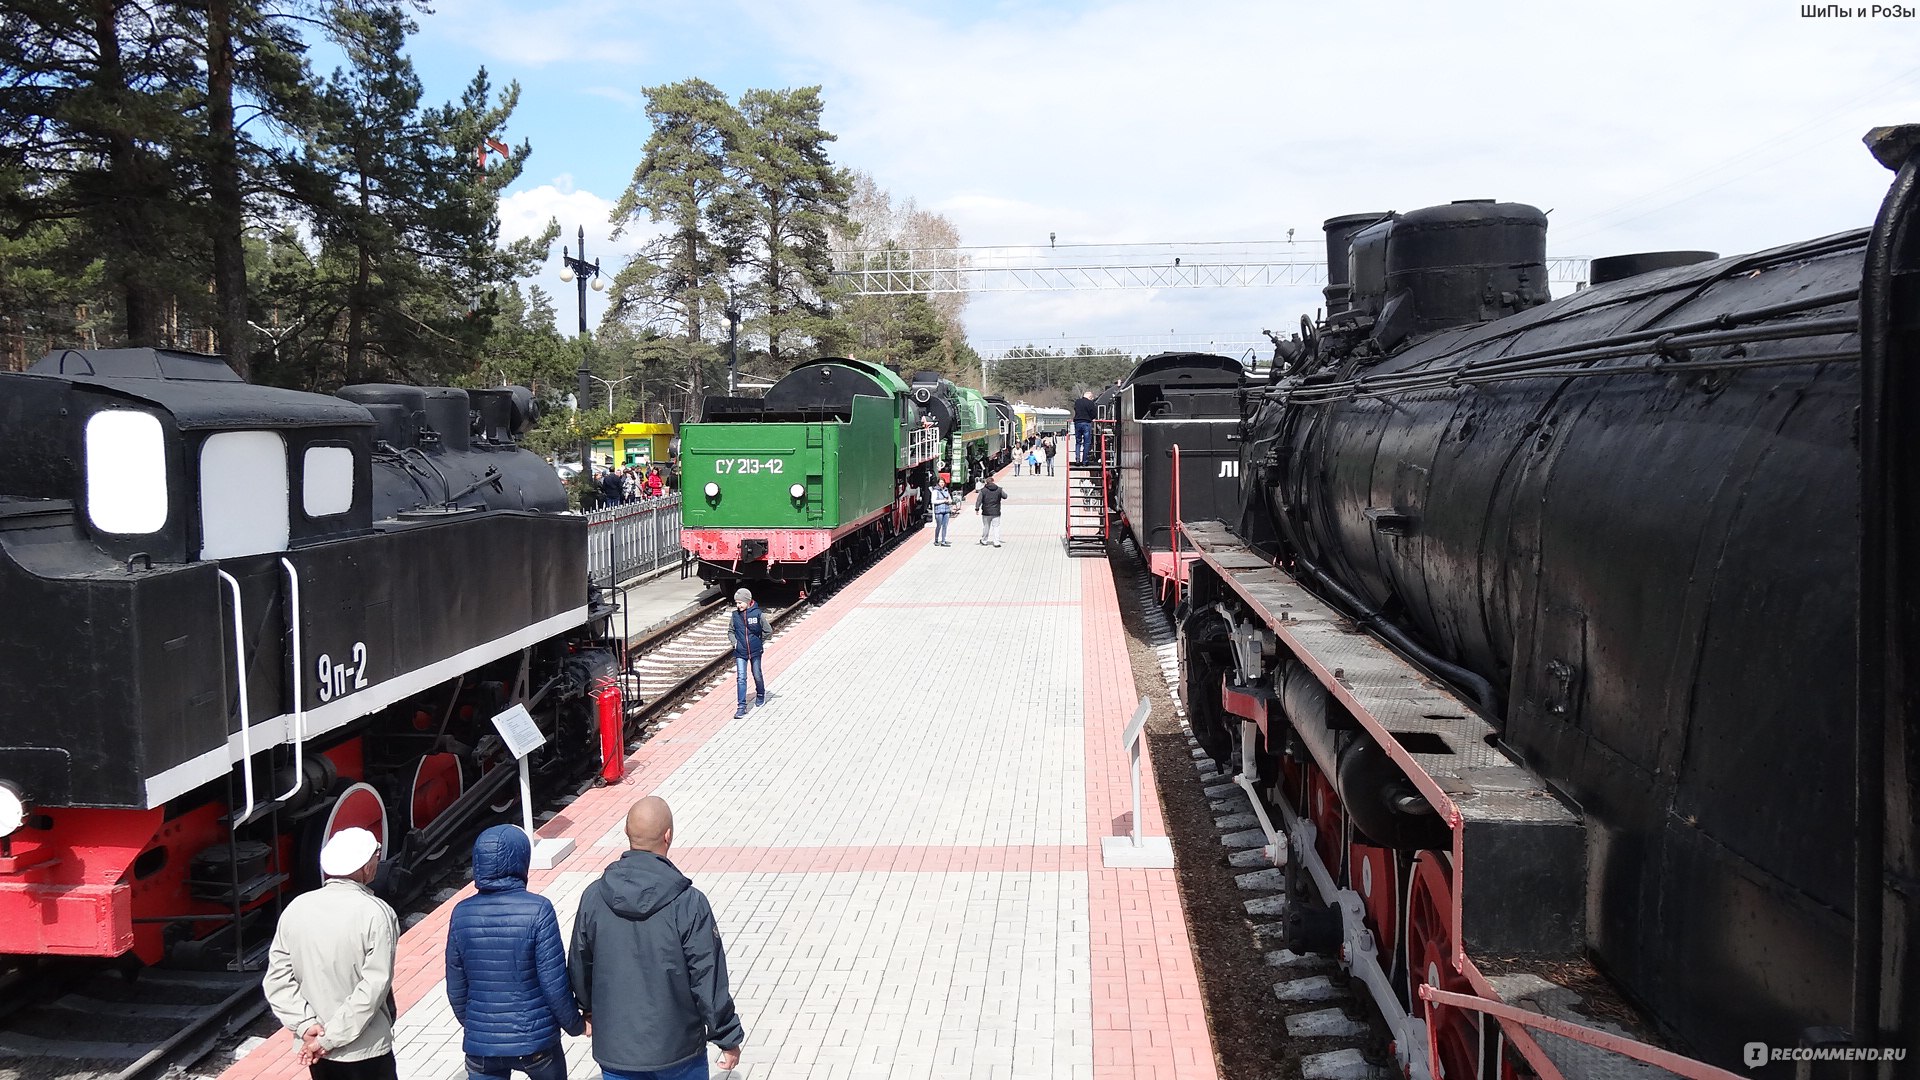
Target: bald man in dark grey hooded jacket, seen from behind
[648, 964]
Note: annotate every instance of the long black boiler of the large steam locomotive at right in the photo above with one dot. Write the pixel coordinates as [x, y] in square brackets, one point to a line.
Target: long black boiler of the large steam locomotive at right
[1652, 566]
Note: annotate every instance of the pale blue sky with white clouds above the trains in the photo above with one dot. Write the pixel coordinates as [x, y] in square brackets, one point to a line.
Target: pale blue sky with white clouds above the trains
[1643, 126]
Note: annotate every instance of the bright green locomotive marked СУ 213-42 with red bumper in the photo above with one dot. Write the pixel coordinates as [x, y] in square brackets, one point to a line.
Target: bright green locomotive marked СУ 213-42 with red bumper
[800, 485]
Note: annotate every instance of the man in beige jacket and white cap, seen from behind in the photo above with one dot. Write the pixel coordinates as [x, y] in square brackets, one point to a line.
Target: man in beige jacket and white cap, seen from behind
[331, 968]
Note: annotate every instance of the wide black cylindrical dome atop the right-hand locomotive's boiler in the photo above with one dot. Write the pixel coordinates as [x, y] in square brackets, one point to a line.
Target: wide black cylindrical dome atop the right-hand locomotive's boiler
[1462, 264]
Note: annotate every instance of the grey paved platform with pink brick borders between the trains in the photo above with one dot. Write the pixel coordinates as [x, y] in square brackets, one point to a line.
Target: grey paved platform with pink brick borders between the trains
[903, 845]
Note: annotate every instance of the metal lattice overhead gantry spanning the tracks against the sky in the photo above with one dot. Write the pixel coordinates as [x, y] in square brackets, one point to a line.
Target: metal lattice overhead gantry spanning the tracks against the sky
[1067, 268]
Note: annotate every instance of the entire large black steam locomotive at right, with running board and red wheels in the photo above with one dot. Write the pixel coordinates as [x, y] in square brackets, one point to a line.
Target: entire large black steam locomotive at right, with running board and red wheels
[1539, 631]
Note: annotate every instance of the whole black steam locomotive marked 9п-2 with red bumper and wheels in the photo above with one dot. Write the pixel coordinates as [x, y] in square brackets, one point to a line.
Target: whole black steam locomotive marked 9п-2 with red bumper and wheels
[241, 618]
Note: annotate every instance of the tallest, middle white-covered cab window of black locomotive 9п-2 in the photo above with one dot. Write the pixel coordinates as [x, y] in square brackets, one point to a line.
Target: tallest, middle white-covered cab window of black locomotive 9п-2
[243, 495]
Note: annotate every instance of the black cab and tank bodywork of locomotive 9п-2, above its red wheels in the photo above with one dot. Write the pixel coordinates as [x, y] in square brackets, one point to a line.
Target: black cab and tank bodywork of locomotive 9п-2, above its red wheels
[145, 493]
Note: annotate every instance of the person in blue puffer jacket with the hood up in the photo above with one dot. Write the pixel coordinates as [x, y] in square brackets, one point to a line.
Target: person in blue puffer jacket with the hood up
[508, 968]
